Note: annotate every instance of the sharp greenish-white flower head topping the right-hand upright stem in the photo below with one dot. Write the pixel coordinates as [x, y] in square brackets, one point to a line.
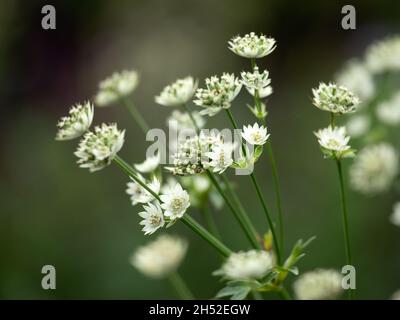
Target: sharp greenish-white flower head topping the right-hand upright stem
[335, 99]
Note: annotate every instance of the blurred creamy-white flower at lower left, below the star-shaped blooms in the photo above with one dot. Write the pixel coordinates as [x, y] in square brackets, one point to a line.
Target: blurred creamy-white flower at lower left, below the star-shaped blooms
[160, 257]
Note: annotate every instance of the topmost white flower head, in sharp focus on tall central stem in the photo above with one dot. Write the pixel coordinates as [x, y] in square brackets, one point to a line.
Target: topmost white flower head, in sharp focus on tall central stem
[252, 45]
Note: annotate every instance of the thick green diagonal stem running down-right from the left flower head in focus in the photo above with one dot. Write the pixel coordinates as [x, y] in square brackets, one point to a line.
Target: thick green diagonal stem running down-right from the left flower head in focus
[186, 219]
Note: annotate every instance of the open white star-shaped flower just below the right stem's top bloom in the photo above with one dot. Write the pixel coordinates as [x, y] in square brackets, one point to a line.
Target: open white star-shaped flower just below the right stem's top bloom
[333, 140]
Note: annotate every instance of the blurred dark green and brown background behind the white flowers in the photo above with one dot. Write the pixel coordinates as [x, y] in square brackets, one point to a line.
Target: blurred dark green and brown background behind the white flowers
[54, 213]
